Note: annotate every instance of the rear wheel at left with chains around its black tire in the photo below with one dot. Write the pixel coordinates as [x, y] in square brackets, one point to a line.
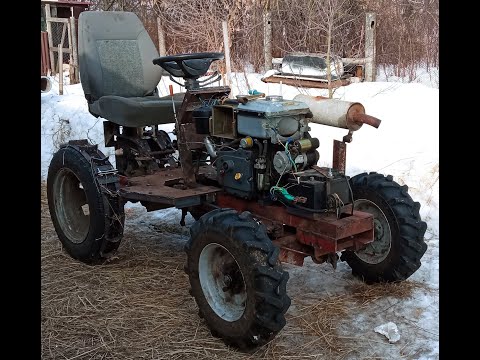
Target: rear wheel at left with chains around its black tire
[87, 215]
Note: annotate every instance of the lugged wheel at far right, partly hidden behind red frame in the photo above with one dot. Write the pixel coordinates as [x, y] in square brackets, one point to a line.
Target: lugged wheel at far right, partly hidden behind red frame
[399, 243]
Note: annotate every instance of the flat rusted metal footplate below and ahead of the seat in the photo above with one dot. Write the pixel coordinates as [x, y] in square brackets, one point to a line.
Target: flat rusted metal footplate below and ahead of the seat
[154, 188]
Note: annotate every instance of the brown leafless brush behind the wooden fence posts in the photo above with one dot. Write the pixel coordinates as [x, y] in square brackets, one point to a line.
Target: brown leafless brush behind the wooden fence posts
[407, 30]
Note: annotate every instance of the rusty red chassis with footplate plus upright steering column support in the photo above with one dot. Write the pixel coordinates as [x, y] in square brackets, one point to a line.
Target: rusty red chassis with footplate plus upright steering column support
[297, 234]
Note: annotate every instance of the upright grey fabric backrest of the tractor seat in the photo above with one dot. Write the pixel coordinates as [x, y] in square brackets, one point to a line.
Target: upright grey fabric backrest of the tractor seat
[115, 55]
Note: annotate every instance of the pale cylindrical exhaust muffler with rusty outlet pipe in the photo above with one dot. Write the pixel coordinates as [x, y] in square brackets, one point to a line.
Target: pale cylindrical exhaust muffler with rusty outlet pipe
[338, 113]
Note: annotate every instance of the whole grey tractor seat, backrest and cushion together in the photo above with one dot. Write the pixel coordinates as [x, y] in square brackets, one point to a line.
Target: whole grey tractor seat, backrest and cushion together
[118, 77]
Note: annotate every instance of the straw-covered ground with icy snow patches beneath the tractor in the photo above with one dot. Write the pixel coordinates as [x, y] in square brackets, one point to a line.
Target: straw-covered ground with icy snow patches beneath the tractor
[137, 306]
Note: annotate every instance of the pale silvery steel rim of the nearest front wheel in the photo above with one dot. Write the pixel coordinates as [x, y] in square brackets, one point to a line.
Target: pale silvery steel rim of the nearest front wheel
[222, 282]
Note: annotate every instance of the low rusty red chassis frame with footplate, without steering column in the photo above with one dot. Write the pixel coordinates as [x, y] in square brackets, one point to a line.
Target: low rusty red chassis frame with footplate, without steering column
[298, 235]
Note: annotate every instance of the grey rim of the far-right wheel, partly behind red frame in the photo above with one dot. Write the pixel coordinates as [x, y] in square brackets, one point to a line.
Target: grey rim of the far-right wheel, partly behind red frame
[378, 250]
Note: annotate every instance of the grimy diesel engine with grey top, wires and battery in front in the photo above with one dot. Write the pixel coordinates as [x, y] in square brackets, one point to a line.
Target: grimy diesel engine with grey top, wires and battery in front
[262, 149]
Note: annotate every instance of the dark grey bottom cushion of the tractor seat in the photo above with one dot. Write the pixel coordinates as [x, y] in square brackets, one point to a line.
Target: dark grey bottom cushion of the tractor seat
[137, 111]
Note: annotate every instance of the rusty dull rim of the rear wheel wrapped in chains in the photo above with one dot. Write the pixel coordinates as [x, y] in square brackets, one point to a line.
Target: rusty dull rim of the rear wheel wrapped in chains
[71, 206]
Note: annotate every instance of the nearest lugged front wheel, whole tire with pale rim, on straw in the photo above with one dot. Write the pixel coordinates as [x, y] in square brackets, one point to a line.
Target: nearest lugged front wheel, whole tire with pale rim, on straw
[236, 278]
